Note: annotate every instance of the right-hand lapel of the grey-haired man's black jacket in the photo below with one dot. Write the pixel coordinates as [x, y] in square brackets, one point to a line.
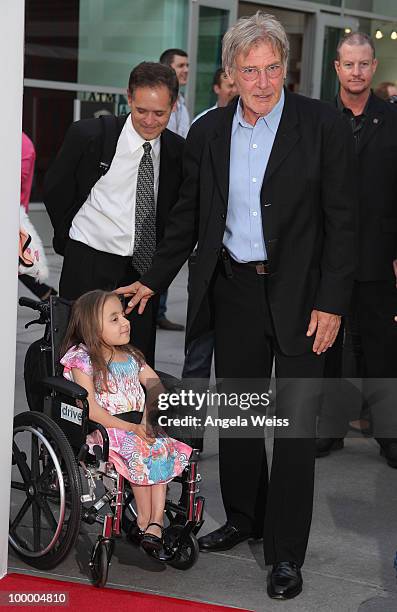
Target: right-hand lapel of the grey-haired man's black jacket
[286, 138]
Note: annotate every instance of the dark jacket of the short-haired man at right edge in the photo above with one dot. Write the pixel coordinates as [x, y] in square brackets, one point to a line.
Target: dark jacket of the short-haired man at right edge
[377, 192]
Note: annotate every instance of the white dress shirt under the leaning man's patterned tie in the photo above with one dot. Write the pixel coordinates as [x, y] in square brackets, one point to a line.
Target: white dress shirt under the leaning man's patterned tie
[106, 221]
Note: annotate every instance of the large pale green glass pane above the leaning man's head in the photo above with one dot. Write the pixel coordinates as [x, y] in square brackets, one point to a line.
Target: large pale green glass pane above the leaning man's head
[115, 35]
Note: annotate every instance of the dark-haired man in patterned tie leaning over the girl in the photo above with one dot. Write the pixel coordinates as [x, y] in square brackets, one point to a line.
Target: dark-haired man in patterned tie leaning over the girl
[110, 190]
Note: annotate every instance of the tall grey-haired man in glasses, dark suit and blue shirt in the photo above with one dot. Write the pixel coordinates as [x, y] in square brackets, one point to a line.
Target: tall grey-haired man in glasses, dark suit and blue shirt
[268, 196]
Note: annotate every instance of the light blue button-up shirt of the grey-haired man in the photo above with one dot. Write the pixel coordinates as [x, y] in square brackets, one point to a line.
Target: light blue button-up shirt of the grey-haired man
[250, 150]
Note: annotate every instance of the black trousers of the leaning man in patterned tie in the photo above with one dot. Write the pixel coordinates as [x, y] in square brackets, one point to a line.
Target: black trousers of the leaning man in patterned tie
[85, 269]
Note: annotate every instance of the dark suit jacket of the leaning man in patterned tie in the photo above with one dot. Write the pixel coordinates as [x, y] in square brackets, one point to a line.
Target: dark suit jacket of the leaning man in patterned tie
[76, 169]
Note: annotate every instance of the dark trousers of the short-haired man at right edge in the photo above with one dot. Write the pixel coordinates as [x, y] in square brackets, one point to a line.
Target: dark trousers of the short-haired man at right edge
[371, 319]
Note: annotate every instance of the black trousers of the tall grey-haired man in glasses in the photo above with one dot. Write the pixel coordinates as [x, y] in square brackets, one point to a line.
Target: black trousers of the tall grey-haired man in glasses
[279, 507]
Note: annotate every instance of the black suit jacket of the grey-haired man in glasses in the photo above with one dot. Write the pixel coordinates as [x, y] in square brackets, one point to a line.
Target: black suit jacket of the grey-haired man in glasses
[307, 197]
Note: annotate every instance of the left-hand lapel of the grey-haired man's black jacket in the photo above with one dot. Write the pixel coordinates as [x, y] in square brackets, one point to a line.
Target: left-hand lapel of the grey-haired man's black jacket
[220, 152]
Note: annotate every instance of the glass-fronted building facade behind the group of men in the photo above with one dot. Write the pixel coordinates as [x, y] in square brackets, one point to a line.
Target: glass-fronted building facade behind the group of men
[79, 53]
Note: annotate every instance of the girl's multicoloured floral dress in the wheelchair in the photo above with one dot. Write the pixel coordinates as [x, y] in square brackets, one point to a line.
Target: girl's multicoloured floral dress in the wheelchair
[141, 463]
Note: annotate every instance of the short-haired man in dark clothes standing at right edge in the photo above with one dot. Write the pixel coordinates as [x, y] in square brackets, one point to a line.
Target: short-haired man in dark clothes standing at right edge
[374, 302]
